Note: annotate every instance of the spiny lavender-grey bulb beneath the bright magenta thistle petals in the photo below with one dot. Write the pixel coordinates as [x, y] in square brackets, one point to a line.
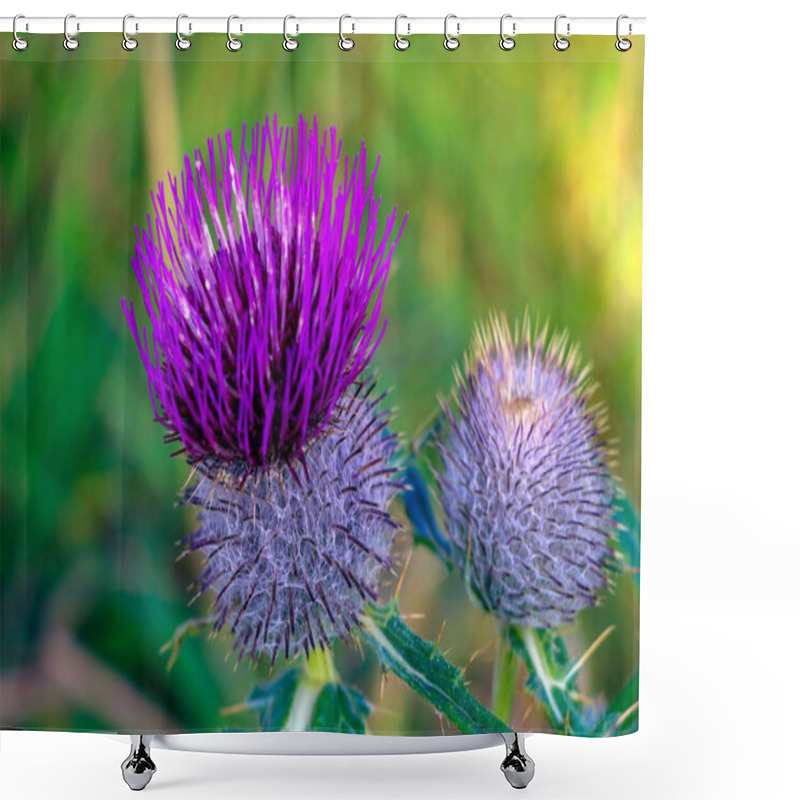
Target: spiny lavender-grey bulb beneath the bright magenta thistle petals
[291, 560]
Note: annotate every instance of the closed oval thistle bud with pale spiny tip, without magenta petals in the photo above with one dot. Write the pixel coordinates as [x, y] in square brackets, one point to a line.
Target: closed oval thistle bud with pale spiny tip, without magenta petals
[525, 481]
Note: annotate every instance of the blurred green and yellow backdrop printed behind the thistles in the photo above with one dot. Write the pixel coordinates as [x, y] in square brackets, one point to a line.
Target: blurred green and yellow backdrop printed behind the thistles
[521, 173]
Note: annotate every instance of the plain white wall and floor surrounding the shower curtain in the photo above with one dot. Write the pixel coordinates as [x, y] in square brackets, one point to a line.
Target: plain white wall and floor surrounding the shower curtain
[720, 700]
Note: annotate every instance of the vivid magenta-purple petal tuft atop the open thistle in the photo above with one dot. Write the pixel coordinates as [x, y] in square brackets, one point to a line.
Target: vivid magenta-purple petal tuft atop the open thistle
[262, 275]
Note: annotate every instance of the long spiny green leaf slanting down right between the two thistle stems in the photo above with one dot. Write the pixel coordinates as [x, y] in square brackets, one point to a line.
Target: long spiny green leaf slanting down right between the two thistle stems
[421, 665]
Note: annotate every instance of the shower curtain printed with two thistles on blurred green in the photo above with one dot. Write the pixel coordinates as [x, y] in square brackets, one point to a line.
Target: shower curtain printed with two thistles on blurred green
[320, 386]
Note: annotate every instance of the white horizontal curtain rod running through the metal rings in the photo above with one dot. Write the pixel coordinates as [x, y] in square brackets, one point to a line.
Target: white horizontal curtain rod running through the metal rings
[348, 25]
